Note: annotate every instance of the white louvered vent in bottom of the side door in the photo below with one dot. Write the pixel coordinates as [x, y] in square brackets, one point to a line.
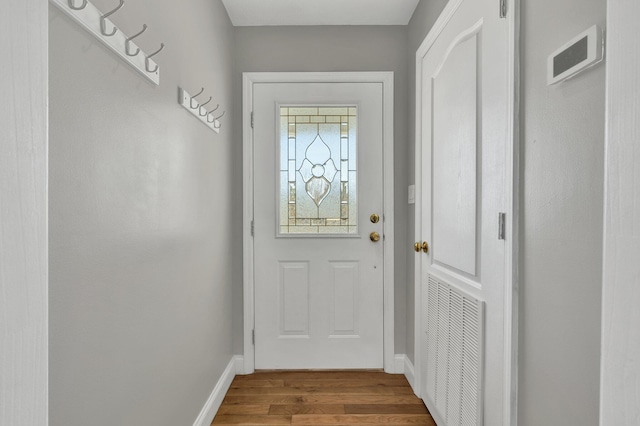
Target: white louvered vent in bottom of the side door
[453, 345]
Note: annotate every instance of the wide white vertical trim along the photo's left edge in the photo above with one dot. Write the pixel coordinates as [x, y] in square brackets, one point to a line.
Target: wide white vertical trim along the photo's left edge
[24, 311]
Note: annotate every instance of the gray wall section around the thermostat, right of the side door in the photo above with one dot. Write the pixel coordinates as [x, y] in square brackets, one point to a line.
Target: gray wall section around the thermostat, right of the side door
[562, 143]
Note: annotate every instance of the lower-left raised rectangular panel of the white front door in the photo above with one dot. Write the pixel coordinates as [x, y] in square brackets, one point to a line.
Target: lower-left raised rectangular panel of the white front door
[294, 299]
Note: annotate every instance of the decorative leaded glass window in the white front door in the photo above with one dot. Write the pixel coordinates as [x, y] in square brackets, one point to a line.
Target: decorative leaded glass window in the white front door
[318, 170]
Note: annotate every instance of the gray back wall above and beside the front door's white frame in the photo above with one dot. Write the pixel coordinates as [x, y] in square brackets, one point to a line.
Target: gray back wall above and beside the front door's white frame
[348, 48]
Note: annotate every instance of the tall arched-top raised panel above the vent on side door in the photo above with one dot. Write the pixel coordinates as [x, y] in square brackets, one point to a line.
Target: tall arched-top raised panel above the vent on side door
[455, 172]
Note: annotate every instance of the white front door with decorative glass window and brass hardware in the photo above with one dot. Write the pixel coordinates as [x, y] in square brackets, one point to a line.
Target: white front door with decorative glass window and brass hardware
[317, 187]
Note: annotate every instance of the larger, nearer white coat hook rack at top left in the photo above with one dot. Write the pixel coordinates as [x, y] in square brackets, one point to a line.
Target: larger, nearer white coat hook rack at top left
[98, 24]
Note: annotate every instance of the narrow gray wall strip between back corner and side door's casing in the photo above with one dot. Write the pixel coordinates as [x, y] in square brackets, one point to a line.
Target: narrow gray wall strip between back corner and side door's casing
[421, 22]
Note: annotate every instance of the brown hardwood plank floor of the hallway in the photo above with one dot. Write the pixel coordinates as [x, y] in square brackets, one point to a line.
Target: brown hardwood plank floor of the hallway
[321, 398]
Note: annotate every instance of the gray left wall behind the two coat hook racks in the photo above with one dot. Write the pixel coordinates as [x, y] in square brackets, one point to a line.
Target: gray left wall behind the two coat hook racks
[140, 202]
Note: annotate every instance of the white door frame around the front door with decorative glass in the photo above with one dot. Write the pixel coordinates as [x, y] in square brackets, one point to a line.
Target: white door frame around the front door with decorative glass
[249, 80]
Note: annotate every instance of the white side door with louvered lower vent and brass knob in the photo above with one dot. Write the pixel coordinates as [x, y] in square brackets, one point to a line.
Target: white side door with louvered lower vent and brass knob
[465, 140]
